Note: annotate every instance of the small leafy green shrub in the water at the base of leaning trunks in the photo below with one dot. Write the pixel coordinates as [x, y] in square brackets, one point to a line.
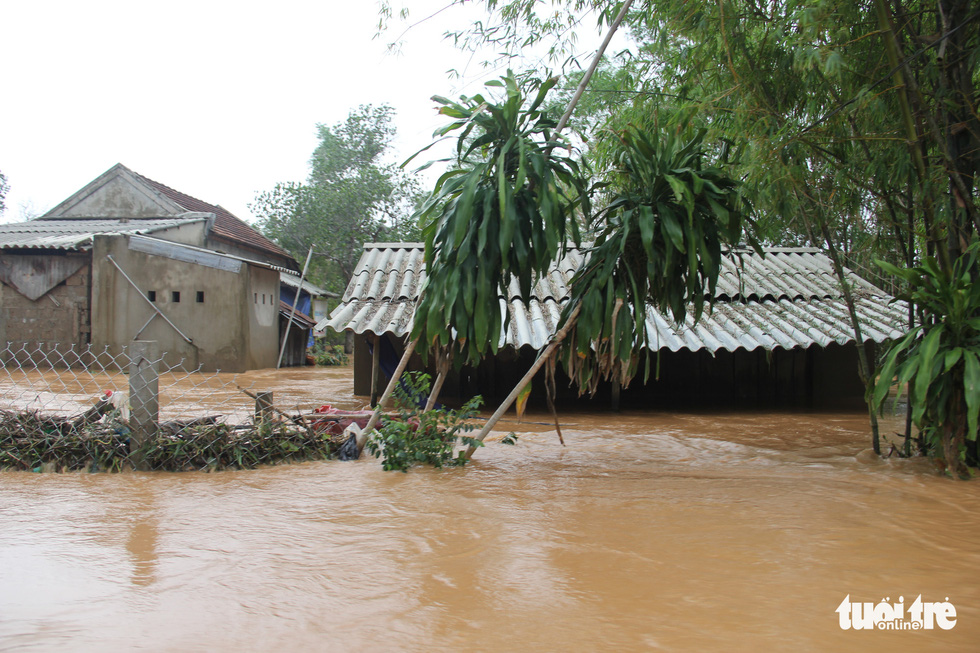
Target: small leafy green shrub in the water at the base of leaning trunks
[423, 438]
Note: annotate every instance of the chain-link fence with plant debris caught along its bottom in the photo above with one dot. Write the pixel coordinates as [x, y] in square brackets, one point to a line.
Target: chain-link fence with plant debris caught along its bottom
[68, 410]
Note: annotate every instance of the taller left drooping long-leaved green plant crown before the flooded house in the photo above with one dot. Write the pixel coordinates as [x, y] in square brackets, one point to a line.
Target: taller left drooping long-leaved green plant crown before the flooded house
[503, 211]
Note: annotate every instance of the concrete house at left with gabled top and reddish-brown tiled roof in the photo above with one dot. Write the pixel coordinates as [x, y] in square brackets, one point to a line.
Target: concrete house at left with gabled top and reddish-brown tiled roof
[127, 258]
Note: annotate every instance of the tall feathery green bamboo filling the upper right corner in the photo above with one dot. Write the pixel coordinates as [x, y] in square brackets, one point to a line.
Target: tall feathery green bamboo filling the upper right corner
[856, 122]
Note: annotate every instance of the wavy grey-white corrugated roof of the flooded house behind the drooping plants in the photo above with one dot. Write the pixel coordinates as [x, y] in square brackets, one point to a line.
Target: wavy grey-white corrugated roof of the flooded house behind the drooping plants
[790, 298]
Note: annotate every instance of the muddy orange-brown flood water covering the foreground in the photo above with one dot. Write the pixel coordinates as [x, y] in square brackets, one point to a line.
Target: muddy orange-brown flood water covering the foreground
[683, 531]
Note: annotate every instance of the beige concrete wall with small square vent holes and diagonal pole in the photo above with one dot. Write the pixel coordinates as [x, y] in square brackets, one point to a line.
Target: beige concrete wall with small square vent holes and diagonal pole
[225, 328]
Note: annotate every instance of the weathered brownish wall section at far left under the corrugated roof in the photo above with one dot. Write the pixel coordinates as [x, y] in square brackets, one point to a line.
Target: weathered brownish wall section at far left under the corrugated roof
[59, 319]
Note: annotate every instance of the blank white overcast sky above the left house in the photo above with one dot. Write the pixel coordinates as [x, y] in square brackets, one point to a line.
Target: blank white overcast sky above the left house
[216, 99]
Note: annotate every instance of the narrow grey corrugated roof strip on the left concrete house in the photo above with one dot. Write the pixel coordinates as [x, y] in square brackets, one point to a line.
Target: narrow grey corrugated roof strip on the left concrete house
[77, 234]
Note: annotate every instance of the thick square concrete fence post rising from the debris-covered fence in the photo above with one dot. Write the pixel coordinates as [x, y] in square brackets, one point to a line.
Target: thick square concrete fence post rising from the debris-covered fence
[144, 398]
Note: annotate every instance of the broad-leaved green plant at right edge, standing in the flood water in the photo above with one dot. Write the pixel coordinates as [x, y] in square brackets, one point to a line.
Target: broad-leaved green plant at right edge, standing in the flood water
[940, 358]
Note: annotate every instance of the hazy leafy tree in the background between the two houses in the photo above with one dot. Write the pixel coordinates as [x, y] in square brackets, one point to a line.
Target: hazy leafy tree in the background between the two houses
[352, 196]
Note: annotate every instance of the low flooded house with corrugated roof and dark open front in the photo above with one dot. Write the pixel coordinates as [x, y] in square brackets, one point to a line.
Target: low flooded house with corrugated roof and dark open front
[779, 332]
